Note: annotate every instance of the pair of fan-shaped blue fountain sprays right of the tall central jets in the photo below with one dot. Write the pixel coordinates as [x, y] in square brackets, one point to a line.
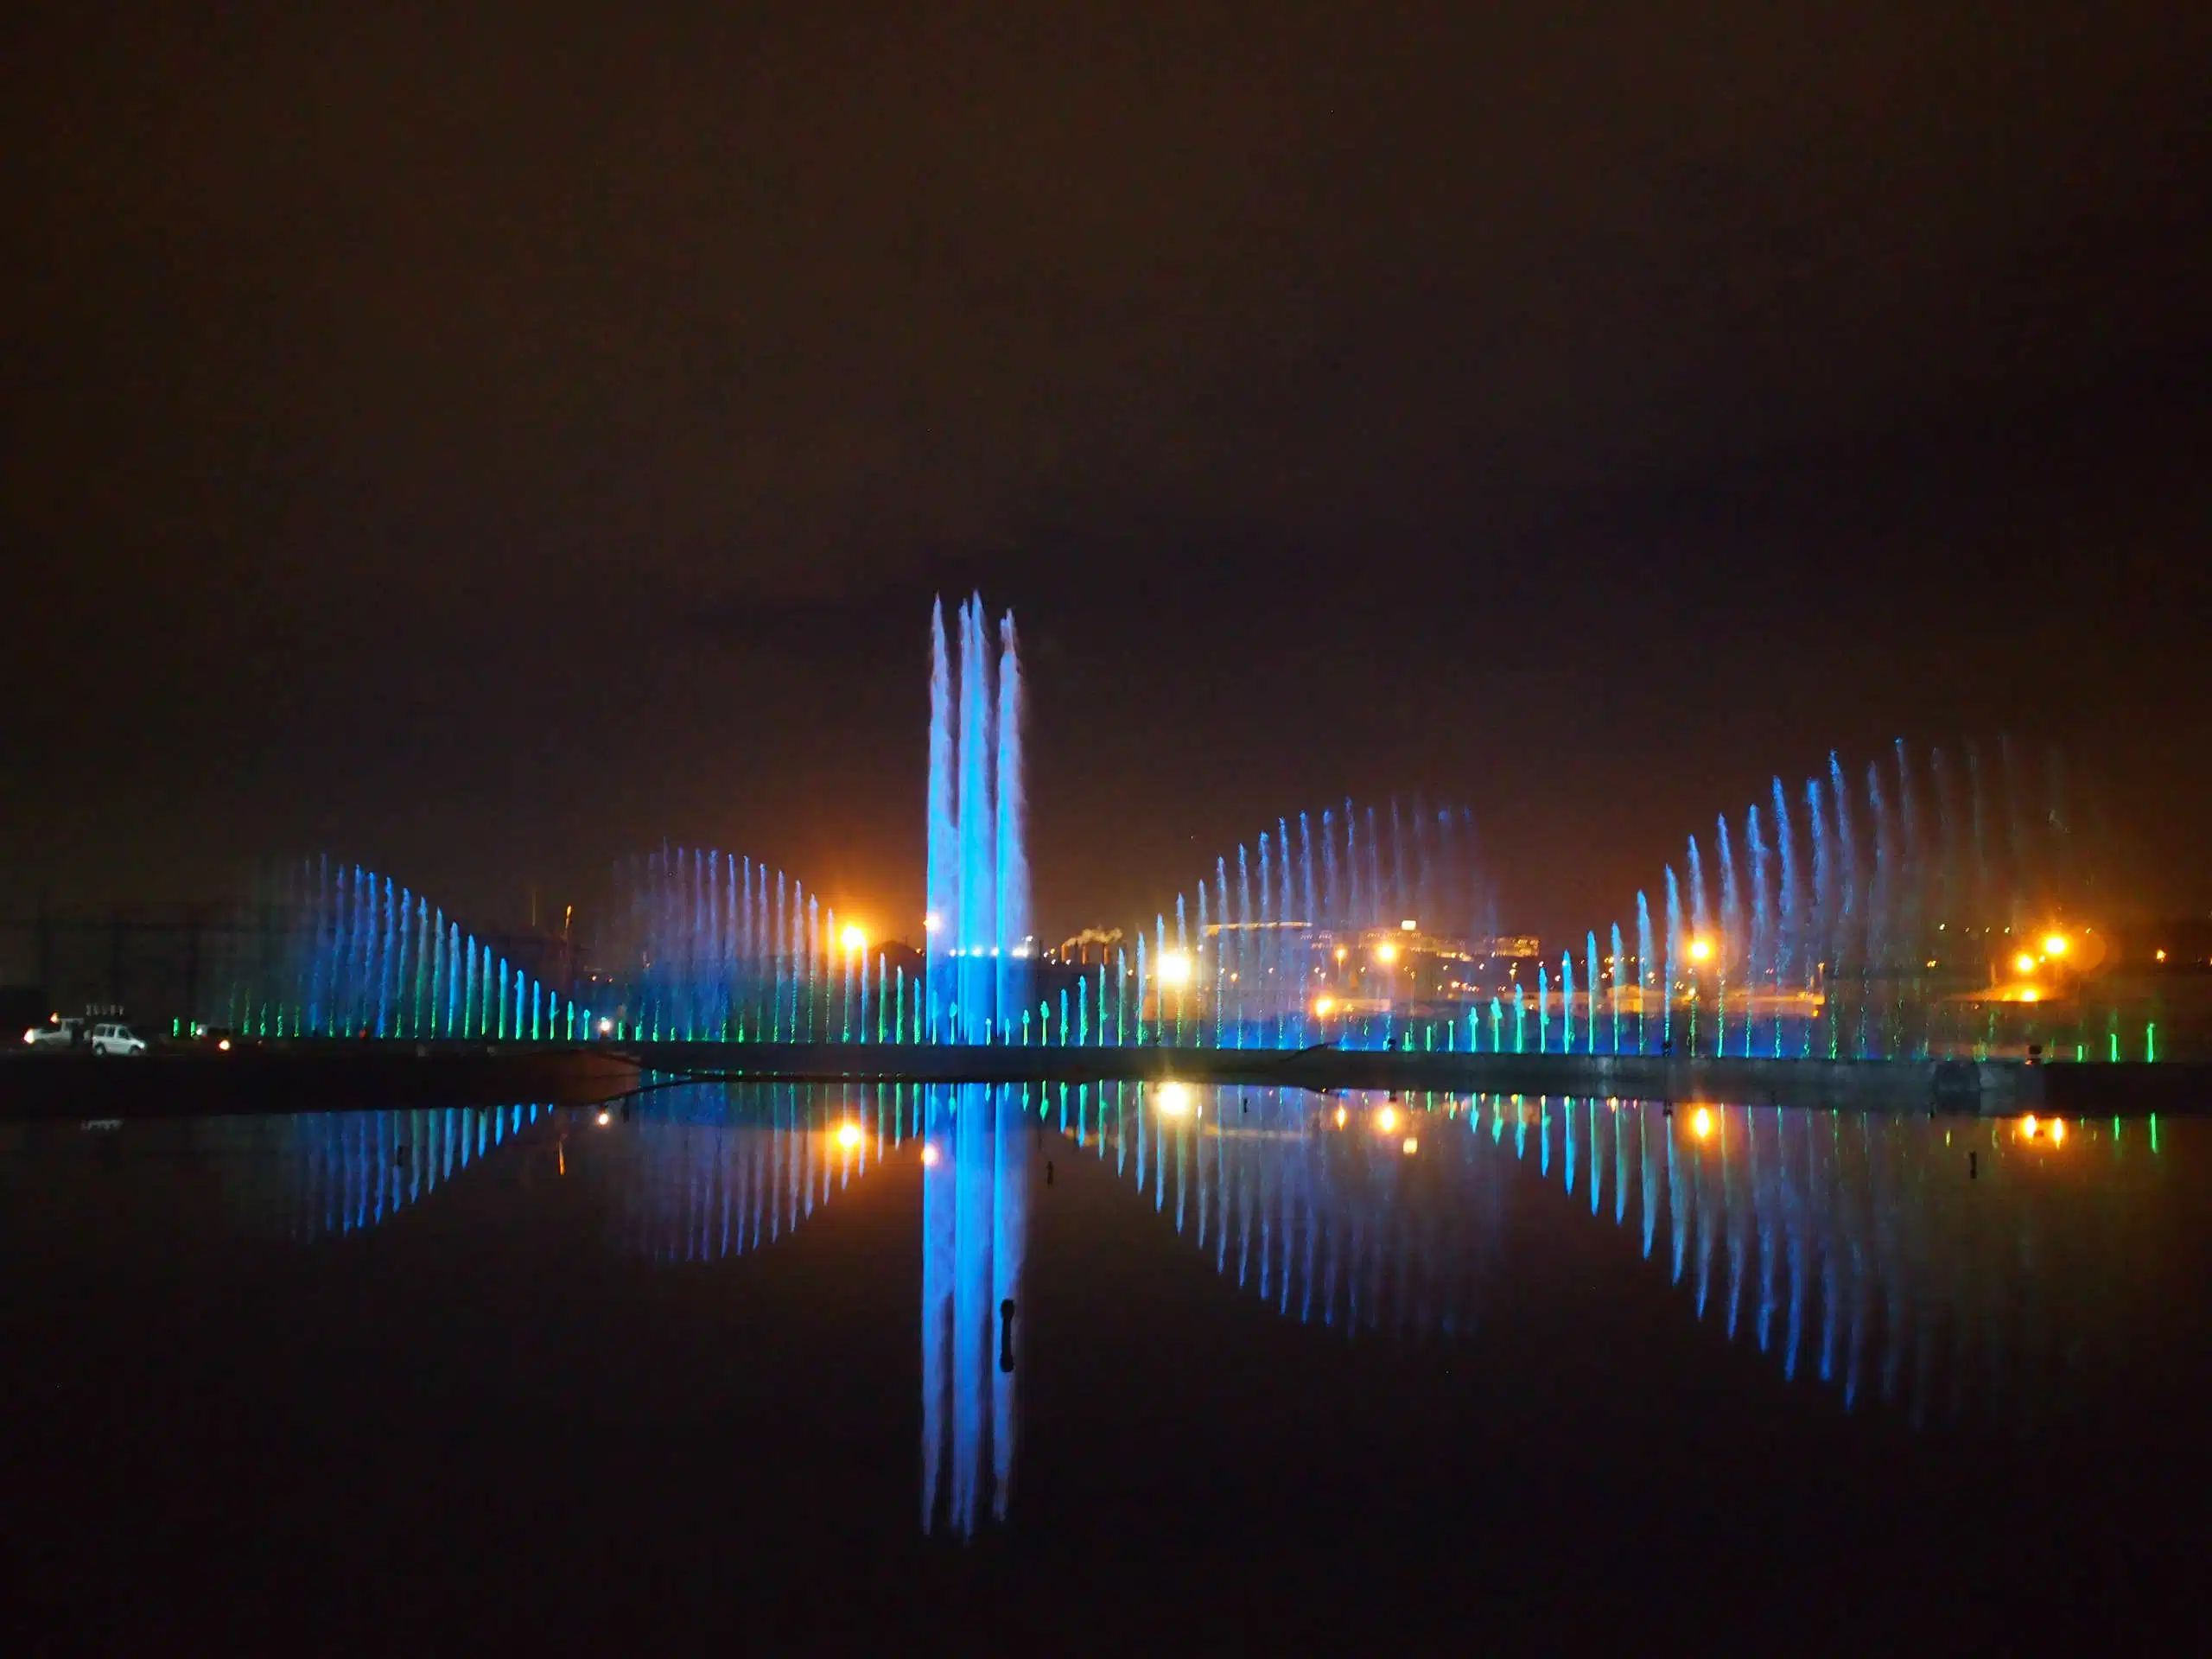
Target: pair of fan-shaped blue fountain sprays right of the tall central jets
[1919, 915]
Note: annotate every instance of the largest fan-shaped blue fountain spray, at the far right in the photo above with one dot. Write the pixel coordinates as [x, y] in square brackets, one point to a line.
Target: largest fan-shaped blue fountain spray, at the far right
[1934, 919]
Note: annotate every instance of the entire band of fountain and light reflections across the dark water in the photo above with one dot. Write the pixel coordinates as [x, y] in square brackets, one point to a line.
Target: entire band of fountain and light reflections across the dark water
[1932, 1269]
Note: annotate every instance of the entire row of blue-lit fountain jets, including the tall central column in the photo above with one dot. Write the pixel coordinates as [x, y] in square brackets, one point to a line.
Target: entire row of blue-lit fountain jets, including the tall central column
[1828, 921]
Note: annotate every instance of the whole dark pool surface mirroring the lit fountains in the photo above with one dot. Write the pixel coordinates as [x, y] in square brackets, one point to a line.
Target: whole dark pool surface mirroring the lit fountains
[1176, 1366]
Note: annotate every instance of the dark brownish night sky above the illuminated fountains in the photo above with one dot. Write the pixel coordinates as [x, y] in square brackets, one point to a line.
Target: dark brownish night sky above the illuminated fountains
[492, 439]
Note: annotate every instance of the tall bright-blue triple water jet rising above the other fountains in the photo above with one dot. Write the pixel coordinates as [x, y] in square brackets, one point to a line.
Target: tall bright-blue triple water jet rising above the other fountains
[979, 862]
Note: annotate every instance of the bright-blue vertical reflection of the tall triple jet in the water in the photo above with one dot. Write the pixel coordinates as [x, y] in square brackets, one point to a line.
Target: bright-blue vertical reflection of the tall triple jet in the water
[974, 1244]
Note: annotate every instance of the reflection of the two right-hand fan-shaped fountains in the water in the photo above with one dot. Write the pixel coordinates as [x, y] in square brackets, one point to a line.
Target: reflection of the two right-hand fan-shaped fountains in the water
[1932, 1264]
